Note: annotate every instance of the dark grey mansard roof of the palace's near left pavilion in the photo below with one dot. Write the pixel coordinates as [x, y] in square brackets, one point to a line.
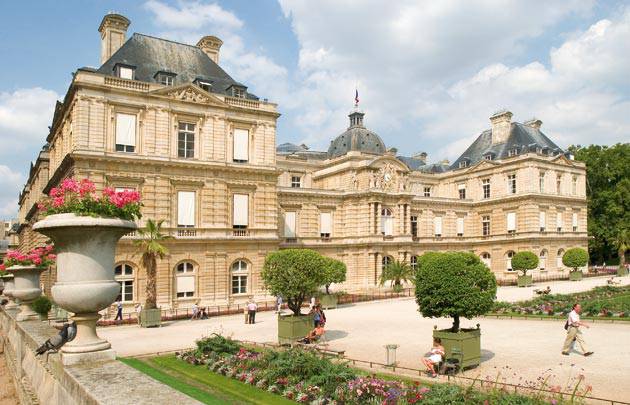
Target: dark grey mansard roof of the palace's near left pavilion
[150, 55]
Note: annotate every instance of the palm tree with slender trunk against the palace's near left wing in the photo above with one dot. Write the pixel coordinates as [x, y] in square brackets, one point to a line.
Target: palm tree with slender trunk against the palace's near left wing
[151, 247]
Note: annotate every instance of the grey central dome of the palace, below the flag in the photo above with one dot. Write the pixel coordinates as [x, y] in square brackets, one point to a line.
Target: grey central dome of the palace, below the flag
[356, 138]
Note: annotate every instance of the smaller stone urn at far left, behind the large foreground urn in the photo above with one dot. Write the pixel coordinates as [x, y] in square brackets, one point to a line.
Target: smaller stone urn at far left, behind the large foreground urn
[26, 289]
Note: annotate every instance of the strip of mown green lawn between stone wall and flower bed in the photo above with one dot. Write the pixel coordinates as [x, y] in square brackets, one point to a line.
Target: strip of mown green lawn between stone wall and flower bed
[200, 383]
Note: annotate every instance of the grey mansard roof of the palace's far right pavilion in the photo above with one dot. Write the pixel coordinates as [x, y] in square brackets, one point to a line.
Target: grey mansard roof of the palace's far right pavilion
[522, 137]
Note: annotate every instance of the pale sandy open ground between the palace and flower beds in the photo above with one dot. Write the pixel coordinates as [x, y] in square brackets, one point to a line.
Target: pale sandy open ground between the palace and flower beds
[527, 347]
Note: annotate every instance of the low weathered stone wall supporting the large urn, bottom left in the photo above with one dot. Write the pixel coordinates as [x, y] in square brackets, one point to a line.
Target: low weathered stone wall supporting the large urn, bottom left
[44, 380]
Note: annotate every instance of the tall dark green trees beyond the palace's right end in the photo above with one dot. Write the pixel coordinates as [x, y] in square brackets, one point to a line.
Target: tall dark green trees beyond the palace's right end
[608, 197]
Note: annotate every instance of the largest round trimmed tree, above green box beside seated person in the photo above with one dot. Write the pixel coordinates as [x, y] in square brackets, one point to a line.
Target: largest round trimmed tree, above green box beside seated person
[454, 284]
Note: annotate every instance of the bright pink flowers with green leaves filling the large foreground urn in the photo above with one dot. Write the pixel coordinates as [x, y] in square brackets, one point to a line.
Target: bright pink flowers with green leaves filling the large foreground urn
[80, 198]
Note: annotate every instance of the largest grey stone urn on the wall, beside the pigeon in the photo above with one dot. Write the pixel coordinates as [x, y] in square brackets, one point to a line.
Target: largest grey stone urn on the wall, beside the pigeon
[85, 284]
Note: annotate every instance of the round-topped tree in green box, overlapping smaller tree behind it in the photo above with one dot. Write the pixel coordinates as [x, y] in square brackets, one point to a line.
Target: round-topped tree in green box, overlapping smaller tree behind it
[294, 274]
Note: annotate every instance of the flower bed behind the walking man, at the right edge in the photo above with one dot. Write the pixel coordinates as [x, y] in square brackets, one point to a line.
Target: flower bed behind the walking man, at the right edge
[599, 302]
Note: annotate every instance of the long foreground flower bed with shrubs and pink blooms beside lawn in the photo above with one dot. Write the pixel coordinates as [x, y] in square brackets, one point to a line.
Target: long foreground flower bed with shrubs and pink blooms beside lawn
[303, 375]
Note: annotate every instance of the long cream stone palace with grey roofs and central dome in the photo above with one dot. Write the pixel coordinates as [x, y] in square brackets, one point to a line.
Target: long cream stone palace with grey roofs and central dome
[165, 119]
